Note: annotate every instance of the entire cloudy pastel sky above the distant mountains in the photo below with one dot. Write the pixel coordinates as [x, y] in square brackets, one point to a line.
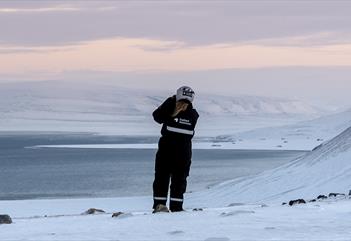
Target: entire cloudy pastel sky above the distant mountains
[294, 49]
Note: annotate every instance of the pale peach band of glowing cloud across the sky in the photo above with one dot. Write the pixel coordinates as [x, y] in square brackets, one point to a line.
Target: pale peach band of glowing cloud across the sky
[151, 55]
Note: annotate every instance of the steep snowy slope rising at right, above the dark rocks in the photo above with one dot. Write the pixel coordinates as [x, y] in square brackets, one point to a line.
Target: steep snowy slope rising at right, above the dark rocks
[324, 170]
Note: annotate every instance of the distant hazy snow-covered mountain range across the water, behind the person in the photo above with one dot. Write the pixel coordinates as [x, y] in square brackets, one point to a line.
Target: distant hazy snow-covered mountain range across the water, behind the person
[106, 108]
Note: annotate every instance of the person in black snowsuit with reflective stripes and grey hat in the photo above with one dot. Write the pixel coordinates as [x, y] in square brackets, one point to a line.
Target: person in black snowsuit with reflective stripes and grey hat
[173, 158]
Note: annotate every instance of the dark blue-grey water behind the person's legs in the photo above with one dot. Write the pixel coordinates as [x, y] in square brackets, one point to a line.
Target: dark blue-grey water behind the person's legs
[27, 173]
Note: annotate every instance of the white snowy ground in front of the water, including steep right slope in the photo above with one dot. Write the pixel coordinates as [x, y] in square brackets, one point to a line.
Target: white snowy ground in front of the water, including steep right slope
[242, 209]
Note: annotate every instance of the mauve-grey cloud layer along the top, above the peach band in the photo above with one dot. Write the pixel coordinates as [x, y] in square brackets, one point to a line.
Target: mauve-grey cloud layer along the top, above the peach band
[191, 22]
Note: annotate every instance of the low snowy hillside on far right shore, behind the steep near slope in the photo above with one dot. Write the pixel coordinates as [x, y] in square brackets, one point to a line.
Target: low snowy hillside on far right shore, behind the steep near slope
[304, 135]
